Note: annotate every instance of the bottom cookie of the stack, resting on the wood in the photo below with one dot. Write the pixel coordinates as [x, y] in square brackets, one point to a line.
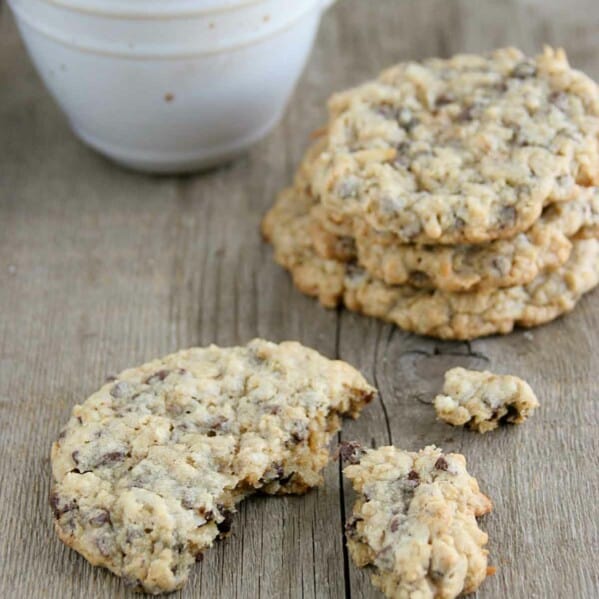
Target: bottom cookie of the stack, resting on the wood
[443, 314]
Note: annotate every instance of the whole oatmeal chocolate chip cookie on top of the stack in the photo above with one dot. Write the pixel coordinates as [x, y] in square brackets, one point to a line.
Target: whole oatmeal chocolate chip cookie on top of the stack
[463, 150]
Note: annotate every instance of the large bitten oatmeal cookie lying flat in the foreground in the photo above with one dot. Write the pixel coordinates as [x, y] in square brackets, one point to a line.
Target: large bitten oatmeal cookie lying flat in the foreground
[149, 469]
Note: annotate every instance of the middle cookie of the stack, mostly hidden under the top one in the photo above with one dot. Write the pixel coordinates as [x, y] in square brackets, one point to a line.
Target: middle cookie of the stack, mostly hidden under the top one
[501, 263]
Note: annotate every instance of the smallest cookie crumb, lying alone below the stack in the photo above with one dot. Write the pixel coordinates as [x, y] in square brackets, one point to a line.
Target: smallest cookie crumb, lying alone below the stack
[482, 401]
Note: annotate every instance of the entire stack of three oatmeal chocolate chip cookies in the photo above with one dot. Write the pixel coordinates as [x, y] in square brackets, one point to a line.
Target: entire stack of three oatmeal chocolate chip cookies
[455, 198]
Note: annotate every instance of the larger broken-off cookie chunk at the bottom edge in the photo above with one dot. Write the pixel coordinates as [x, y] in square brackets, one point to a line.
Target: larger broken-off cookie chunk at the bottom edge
[415, 523]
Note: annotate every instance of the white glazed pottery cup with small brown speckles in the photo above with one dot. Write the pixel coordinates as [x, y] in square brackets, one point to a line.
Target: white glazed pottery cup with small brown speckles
[170, 85]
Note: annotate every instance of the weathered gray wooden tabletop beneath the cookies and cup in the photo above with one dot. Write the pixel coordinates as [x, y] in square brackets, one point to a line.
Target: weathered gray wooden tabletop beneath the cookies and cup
[102, 269]
